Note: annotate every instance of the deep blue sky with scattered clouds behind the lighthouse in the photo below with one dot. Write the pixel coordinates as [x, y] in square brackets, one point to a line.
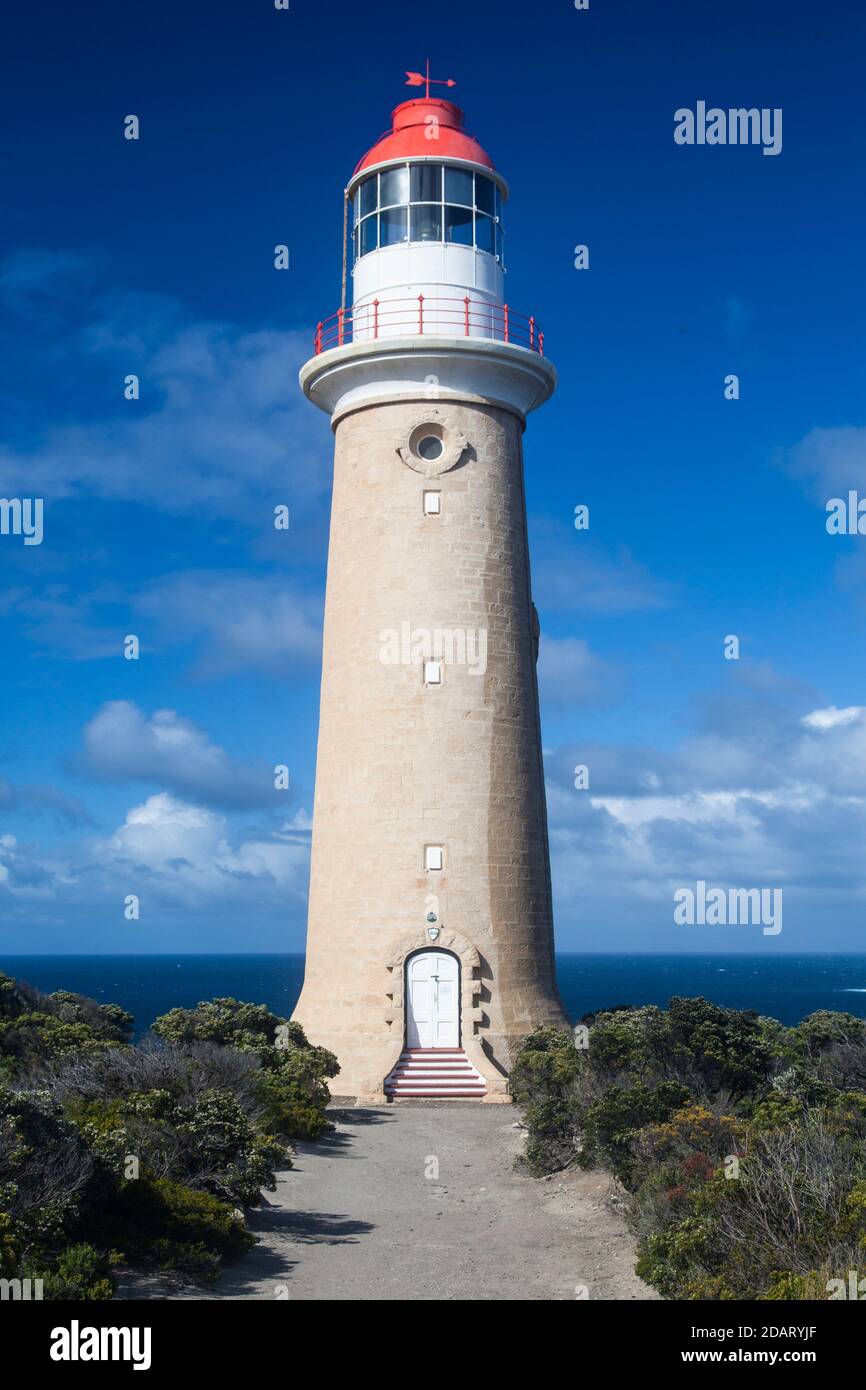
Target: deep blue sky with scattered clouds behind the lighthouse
[707, 515]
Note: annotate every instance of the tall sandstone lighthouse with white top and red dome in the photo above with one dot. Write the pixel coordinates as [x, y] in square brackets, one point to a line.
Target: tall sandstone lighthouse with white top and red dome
[430, 940]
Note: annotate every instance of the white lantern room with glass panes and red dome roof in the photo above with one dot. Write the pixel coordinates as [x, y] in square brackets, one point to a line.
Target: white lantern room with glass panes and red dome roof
[426, 230]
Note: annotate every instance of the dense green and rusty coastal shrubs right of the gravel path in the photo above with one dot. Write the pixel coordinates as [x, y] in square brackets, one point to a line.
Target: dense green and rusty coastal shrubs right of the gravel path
[742, 1143]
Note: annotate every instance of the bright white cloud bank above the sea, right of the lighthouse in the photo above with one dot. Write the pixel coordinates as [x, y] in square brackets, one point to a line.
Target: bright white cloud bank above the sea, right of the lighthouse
[765, 803]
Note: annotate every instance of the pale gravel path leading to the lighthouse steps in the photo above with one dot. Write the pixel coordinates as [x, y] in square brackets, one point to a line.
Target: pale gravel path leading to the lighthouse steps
[359, 1220]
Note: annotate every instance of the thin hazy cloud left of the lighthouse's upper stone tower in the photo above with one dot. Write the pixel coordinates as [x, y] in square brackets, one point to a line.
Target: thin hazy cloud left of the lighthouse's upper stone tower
[222, 426]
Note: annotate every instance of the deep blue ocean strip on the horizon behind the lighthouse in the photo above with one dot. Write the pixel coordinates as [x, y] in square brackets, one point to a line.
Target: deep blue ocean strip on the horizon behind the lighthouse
[785, 988]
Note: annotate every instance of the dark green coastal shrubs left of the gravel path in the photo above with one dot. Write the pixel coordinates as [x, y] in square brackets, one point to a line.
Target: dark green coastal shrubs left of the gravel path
[112, 1152]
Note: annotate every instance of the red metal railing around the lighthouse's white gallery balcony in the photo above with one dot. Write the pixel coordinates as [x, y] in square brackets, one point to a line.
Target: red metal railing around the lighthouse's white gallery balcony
[450, 318]
